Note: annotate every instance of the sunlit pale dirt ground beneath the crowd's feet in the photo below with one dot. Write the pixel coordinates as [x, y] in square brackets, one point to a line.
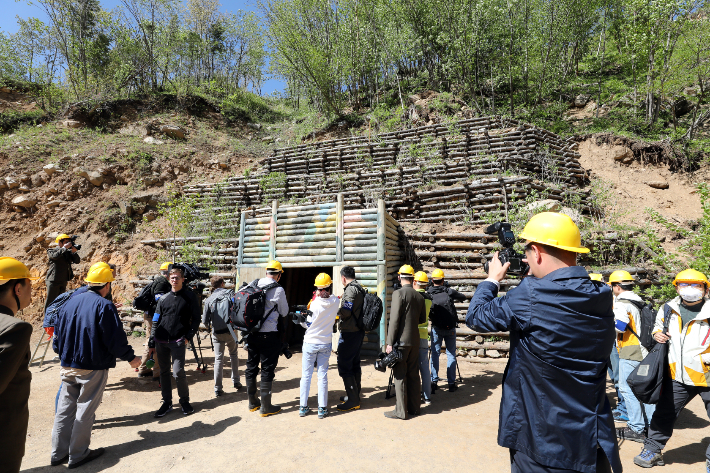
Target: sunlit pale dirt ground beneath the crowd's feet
[456, 433]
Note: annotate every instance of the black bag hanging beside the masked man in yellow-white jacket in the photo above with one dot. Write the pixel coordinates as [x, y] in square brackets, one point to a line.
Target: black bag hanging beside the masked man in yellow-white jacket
[646, 380]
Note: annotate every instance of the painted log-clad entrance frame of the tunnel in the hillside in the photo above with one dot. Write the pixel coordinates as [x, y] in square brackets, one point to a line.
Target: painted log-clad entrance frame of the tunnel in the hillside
[329, 237]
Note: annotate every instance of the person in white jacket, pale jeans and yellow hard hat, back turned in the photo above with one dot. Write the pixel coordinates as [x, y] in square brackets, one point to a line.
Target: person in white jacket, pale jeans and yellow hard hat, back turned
[317, 343]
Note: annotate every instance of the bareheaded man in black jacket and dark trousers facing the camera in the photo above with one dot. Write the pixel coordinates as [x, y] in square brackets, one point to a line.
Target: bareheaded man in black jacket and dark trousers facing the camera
[177, 316]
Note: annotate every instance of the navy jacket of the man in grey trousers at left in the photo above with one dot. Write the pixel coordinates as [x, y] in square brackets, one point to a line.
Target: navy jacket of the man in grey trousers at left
[89, 335]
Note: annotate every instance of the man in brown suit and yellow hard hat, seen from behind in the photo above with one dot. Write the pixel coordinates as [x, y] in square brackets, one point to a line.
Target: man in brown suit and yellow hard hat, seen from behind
[407, 312]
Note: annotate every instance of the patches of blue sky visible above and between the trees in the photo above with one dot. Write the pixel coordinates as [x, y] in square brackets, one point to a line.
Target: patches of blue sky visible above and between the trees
[12, 9]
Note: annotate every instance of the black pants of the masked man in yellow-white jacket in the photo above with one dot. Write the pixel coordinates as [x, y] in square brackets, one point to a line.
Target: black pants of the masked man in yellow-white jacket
[674, 398]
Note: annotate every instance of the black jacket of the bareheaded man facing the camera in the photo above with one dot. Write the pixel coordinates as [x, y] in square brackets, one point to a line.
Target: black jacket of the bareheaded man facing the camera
[177, 314]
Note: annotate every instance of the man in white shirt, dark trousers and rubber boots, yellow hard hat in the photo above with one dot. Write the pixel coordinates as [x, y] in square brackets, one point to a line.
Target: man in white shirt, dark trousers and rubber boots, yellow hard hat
[264, 346]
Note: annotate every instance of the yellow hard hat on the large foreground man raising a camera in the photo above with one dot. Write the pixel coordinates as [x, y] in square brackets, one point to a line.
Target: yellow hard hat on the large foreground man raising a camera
[554, 229]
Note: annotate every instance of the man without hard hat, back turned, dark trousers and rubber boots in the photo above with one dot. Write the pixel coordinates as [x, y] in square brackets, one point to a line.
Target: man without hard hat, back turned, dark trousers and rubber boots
[351, 338]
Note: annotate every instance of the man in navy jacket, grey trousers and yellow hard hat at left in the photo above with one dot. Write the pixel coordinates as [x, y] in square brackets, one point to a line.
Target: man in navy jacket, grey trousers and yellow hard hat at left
[88, 337]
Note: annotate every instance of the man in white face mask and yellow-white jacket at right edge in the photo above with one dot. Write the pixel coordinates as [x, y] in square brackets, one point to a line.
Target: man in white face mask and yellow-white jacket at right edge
[689, 358]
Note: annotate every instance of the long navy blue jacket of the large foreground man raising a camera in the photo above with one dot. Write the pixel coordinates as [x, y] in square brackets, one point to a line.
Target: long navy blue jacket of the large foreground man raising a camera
[554, 406]
